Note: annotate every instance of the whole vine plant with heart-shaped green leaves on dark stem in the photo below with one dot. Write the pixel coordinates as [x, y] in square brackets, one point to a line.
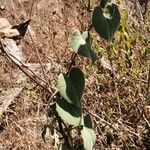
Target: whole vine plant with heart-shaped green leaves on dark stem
[67, 121]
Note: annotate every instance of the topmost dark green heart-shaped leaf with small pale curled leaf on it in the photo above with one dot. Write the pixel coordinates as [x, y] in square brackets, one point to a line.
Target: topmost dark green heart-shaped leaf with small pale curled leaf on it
[106, 20]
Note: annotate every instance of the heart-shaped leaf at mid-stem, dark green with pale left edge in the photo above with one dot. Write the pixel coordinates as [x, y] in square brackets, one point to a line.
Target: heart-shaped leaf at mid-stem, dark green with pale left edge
[71, 87]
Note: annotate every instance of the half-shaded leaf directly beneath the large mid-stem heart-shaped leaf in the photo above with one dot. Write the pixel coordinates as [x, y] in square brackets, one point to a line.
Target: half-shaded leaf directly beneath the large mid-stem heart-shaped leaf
[68, 112]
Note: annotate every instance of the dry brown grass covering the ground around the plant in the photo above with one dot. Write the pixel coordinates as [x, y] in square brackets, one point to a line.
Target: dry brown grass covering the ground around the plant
[52, 24]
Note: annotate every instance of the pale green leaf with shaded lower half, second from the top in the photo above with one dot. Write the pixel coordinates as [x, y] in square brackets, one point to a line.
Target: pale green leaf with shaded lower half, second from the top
[81, 45]
